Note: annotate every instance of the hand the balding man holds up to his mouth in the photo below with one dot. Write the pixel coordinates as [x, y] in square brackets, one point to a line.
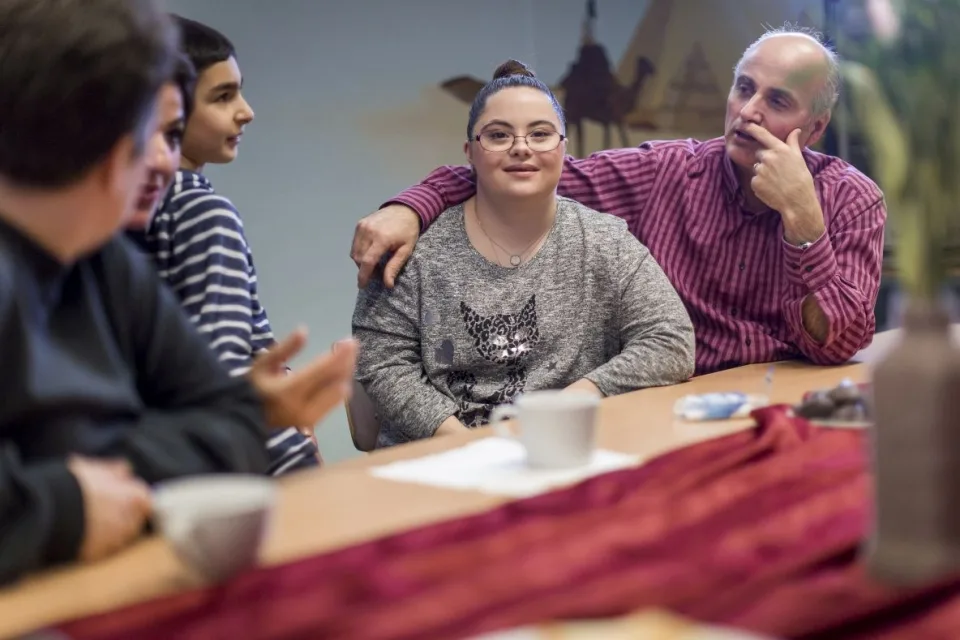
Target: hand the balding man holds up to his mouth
[783, 182]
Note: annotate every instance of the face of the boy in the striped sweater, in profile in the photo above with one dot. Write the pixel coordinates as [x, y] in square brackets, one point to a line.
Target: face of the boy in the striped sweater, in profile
[220, 113]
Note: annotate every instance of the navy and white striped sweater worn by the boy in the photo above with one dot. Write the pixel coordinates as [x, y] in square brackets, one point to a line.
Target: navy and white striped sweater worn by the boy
[197, 243]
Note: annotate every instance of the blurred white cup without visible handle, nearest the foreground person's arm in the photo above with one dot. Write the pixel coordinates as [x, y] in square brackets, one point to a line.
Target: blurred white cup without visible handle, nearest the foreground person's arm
[216, 523]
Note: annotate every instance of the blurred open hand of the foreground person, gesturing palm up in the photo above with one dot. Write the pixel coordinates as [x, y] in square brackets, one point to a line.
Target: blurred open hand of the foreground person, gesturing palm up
[303, 397]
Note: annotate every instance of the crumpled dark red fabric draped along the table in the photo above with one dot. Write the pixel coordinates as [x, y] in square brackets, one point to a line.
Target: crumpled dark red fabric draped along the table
[760, 530]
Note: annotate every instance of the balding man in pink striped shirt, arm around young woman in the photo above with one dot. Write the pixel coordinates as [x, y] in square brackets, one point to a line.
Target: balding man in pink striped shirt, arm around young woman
[775, 249]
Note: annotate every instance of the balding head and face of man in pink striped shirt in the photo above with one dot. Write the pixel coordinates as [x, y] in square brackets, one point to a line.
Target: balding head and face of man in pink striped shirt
[775, 87]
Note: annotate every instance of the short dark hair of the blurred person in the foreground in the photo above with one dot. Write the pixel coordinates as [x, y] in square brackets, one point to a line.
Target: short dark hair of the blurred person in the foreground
[76, 76]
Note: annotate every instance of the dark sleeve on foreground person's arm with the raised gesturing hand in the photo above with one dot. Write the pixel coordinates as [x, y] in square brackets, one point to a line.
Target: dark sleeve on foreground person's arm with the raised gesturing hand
[197, 418]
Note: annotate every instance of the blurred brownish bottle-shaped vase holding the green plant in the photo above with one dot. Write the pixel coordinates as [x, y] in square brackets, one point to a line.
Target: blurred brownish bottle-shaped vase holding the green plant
[916, 452]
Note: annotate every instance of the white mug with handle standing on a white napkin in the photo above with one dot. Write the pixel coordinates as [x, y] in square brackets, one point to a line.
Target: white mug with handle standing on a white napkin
[557, 428]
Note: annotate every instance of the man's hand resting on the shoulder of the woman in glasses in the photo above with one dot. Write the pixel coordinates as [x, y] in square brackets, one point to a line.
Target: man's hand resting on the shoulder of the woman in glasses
[393, 229]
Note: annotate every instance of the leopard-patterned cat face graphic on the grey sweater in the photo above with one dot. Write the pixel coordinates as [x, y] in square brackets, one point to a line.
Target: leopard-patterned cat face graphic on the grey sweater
[504, 338]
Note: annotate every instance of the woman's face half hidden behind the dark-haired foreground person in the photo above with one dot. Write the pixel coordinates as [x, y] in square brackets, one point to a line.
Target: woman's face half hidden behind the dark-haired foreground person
[163, 156]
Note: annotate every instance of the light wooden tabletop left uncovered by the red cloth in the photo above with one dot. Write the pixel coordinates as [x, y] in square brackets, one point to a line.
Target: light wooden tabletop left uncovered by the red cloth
[343, 504]
